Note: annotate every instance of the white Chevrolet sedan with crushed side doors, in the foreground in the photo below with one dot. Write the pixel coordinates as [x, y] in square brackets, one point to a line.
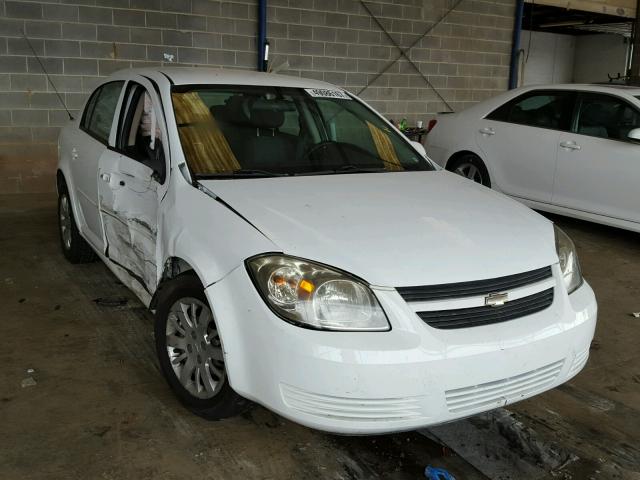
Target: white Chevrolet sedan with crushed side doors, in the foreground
[299, 252]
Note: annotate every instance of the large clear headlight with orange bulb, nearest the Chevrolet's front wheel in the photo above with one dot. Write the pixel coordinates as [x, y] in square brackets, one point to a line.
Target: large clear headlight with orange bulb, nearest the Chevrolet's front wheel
[316, 296]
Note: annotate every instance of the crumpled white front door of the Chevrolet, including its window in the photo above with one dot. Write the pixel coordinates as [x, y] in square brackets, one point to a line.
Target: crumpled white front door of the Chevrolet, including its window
[130, 179]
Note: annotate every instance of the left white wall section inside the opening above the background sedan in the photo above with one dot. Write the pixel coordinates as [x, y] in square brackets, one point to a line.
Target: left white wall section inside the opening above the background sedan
[547, 58]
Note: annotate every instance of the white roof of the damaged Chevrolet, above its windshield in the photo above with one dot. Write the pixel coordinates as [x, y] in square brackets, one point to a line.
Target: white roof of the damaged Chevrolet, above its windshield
[219, 76]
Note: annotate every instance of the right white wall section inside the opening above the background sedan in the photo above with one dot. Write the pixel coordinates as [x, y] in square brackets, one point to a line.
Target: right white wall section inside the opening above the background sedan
[597, 55]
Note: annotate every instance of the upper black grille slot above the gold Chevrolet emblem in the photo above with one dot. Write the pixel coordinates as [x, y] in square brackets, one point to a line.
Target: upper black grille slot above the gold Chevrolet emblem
[468, 289]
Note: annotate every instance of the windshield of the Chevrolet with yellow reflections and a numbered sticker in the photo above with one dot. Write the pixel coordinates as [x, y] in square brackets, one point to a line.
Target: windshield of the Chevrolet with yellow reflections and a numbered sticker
[241, 131]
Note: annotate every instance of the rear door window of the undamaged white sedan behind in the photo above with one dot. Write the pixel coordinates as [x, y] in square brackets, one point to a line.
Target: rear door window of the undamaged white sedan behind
[544, 109]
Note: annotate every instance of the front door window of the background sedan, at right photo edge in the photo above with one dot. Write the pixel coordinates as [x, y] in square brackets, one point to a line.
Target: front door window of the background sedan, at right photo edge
[606, 116]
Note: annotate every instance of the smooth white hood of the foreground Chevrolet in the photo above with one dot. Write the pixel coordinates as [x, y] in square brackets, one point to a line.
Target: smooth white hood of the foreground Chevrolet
[395, 229]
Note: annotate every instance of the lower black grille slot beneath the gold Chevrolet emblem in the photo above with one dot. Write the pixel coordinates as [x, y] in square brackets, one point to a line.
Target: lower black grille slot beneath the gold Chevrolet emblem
[476, 316]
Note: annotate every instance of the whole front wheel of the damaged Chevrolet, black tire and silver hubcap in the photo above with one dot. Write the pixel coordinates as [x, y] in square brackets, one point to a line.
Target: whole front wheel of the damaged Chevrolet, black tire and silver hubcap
[190, 352]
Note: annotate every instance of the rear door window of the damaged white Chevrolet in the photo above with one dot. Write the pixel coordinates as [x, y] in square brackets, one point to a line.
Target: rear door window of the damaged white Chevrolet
[98, 115]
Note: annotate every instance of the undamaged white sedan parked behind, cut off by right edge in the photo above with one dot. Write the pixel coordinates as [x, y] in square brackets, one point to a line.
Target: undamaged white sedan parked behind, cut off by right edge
[567, 149]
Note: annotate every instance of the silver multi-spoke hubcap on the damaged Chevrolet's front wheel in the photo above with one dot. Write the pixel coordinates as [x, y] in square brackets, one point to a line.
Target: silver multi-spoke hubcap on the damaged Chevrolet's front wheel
[194, 348]
